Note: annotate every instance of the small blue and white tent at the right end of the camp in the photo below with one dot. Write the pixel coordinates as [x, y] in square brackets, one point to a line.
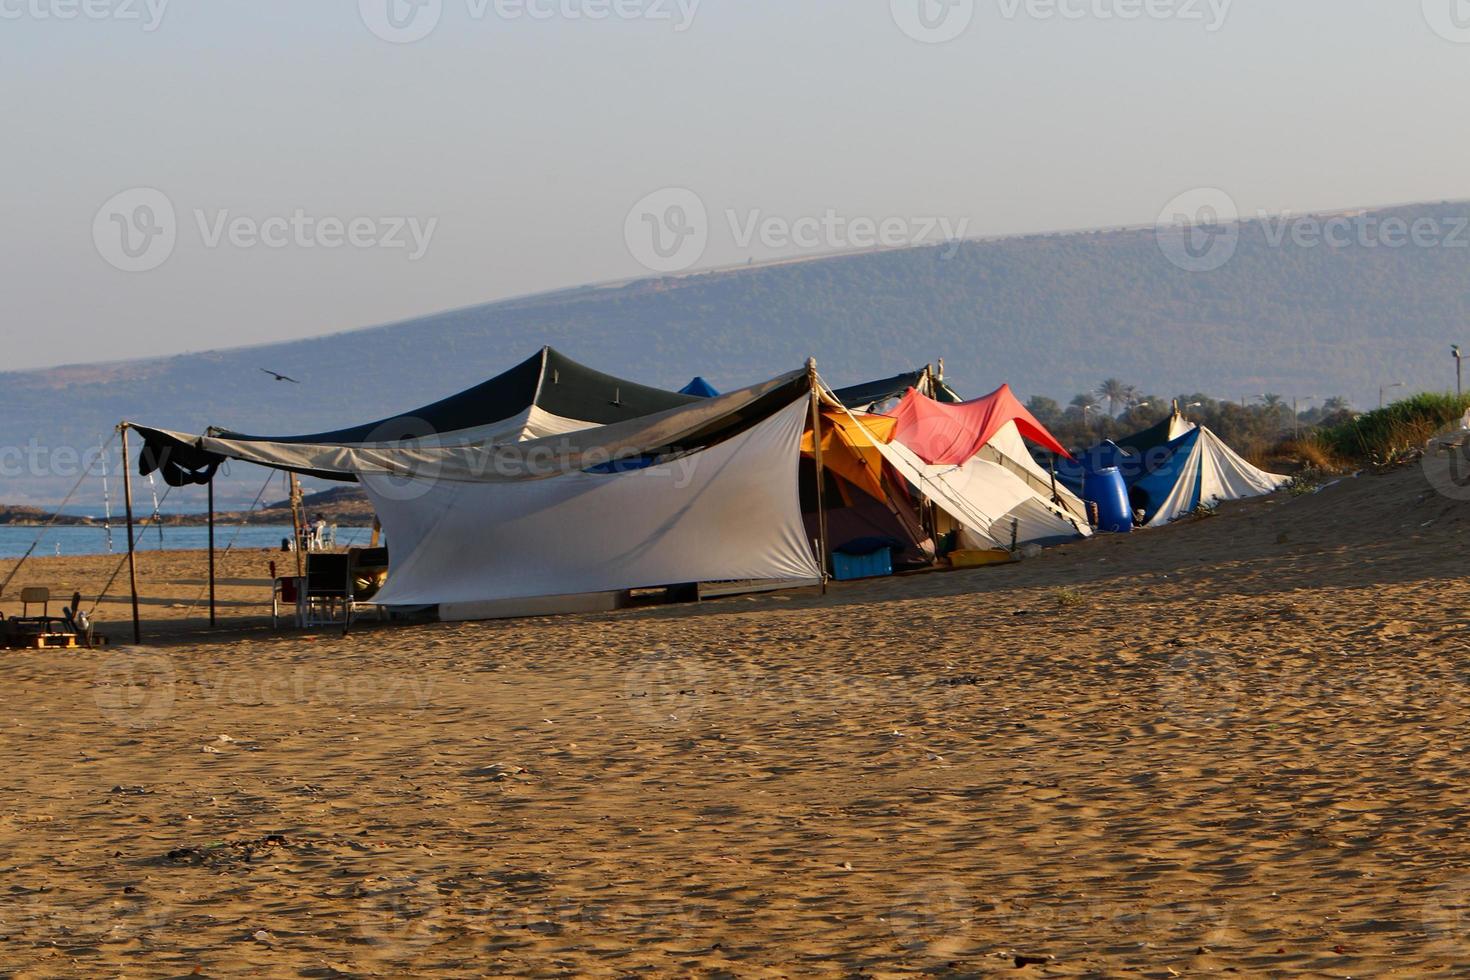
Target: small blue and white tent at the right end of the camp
[1172, 469]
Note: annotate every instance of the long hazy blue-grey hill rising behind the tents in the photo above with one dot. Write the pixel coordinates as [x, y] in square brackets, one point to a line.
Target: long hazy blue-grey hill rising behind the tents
[1053, 315]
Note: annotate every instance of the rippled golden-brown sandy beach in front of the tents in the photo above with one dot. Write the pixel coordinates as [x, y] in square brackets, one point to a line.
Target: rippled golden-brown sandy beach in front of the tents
[1234, 747]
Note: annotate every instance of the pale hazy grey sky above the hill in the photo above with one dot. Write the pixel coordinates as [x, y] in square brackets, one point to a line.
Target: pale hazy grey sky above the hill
[503, 152]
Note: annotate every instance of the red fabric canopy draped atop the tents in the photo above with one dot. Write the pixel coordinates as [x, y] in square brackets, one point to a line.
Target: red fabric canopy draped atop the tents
[949, 436]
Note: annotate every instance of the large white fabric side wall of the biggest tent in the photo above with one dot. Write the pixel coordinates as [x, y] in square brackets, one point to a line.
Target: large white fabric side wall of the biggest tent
[730, 512]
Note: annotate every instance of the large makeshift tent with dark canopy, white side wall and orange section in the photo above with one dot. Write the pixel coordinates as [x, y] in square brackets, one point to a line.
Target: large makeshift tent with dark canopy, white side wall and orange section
[556, 489]
